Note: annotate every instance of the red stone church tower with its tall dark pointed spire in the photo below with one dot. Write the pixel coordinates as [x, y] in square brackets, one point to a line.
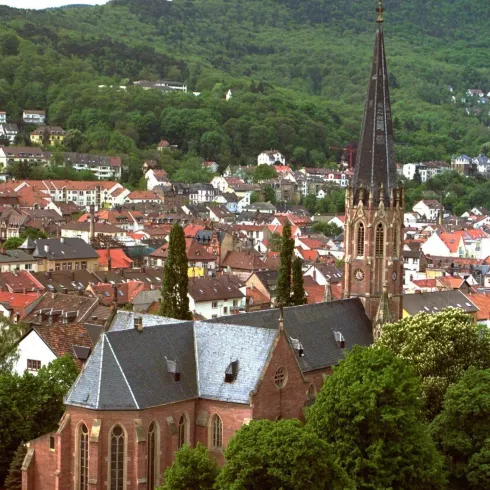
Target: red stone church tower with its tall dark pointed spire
[374, 205]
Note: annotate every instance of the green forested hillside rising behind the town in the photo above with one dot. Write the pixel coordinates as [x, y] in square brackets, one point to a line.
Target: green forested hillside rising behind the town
[298, 71]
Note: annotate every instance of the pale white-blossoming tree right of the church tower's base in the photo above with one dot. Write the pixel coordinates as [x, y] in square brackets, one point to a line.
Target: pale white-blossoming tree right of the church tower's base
[440, 347]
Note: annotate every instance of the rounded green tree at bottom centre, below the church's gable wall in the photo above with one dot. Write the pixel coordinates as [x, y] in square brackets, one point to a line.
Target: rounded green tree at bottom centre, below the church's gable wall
[279, 456]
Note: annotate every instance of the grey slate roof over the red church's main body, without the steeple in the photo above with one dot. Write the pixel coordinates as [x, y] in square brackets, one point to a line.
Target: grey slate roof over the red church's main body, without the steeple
[118, 377]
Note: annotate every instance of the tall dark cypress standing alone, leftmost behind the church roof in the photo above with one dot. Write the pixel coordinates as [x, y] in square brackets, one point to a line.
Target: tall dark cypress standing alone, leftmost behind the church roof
[175, 303]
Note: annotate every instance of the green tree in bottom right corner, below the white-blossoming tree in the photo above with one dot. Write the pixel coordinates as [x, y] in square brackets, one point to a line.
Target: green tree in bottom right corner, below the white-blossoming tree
[462, 430]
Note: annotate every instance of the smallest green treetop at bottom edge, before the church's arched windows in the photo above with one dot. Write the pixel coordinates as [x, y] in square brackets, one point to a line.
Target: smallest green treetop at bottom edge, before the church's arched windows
[192, 469]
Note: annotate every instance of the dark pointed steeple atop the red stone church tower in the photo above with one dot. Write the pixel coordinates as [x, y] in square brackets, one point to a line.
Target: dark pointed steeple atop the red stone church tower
[375, 165]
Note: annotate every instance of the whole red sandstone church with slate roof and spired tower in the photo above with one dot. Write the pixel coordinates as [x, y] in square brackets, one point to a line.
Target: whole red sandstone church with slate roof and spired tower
[153, 384]
